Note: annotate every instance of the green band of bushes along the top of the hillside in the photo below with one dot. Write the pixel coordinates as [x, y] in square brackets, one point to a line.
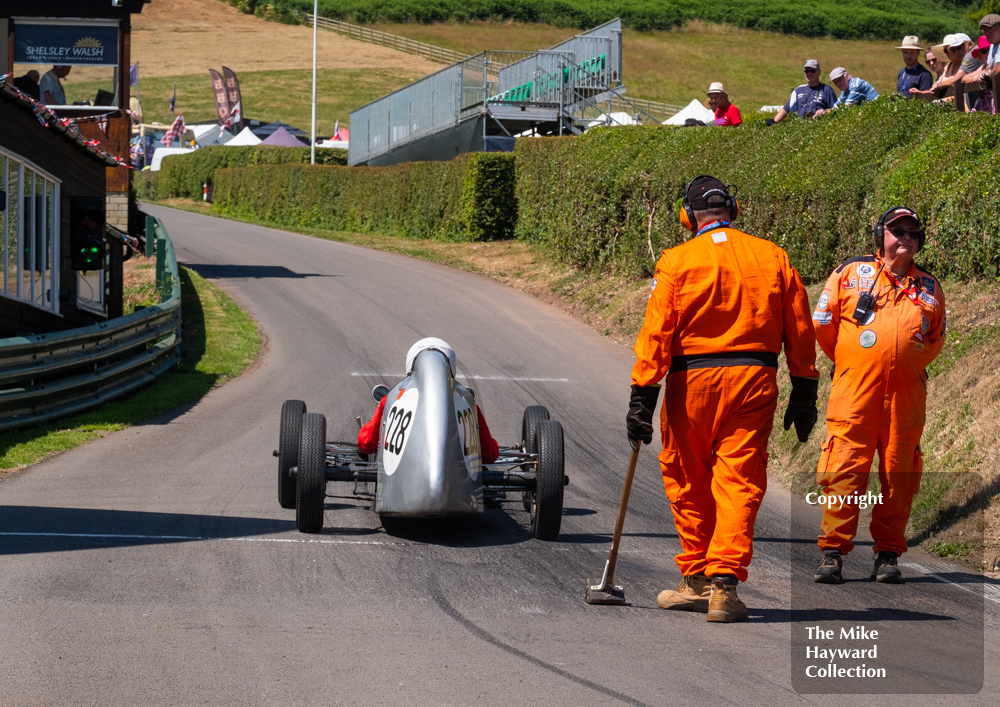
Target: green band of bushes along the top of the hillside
[844, 19]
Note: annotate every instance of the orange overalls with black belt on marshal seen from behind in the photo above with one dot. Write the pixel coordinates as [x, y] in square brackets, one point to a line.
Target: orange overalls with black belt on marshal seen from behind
[722, 305]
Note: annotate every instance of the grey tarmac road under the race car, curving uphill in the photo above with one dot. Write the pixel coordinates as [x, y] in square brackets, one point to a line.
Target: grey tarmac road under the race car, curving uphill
[155, 567]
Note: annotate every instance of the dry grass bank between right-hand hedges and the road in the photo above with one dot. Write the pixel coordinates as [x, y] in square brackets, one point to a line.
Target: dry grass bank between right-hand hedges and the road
[958, 514]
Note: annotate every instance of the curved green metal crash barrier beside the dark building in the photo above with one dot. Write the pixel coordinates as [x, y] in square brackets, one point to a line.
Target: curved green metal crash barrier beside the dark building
[50, 376]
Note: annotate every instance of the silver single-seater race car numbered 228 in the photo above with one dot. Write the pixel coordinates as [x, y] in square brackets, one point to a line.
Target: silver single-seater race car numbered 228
[428, 461]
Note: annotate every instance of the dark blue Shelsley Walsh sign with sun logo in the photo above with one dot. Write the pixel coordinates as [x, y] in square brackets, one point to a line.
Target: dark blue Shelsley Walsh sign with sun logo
[70, 44]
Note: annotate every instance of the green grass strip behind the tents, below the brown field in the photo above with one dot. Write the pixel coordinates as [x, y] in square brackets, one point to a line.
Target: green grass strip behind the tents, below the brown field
[267, 95]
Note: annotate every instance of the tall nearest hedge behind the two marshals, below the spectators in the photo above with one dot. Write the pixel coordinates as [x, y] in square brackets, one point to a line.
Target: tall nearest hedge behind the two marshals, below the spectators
[814, 187]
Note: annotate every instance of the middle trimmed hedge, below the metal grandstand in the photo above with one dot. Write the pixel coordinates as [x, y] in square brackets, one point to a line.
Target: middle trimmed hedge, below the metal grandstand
[469, 198]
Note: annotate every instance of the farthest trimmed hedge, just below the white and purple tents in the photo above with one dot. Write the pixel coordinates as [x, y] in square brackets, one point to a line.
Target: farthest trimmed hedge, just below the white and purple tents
[184, 175]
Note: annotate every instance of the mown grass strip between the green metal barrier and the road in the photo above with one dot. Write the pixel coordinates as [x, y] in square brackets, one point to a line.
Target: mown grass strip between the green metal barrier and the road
[219, 342]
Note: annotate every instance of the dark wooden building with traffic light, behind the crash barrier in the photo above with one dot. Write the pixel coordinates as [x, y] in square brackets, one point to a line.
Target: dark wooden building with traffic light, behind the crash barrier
[51, 179]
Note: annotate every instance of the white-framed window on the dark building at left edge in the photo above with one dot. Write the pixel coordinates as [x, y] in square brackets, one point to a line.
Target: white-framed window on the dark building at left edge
[29, 199]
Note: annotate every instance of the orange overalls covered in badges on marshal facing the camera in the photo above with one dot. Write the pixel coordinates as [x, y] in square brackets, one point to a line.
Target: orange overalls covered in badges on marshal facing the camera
[879, 395]
